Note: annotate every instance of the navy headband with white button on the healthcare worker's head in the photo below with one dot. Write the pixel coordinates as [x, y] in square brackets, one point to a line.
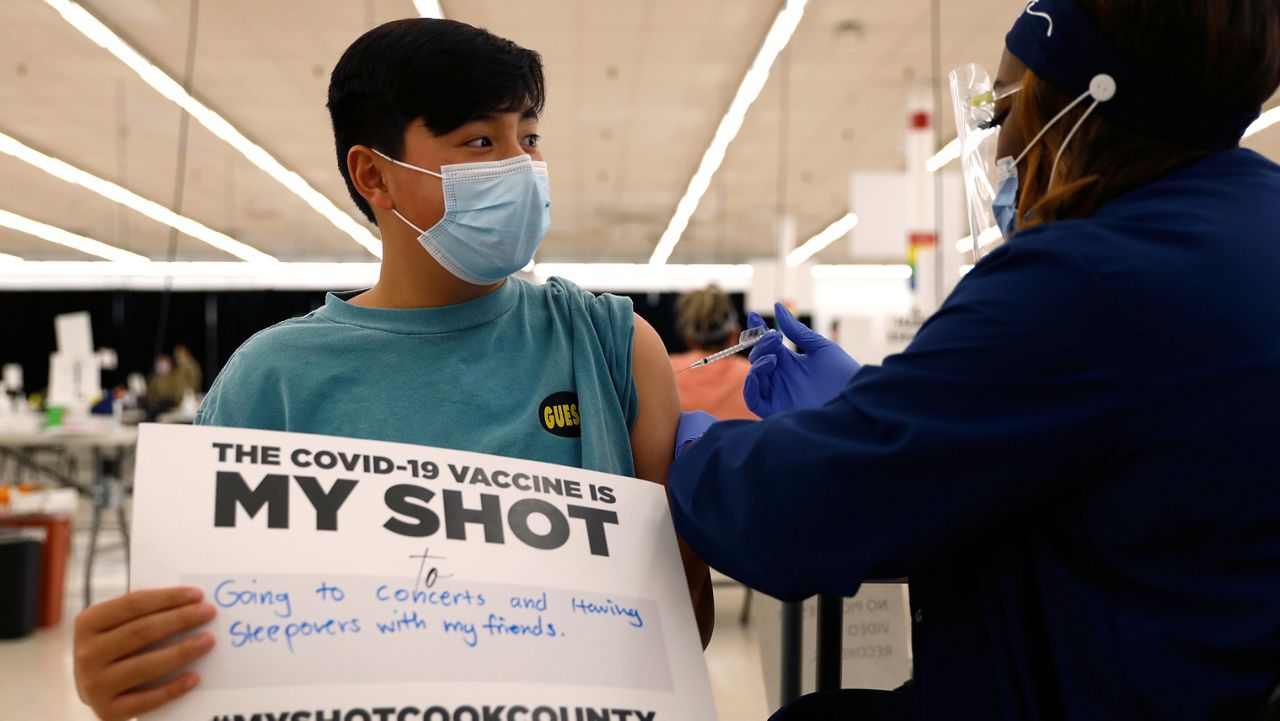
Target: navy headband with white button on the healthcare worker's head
[1058, 42]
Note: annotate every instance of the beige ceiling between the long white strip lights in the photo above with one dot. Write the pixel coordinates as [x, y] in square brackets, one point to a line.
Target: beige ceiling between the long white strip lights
[636, 94]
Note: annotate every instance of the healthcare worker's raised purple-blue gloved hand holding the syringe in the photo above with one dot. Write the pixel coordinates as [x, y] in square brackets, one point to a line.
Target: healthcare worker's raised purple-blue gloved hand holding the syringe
[783, 380]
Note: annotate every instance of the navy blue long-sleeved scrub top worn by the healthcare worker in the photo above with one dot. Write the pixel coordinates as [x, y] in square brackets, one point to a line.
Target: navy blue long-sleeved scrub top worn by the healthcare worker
[1077, 464]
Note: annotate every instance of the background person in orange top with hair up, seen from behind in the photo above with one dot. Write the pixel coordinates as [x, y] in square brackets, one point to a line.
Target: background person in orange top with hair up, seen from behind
[710, 325]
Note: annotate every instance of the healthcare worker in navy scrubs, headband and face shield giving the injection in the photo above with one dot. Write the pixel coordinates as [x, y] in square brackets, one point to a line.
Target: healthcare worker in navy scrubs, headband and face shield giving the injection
[1077, 462]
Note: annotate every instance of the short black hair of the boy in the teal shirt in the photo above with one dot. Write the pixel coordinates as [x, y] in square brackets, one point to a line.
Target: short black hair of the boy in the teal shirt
[445, 72]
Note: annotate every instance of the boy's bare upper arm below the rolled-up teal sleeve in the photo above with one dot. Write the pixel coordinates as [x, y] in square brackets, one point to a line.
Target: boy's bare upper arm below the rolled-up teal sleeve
[653, 437]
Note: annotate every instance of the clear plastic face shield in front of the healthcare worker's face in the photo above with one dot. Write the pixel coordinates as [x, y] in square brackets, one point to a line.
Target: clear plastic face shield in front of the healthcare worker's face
[977, 127]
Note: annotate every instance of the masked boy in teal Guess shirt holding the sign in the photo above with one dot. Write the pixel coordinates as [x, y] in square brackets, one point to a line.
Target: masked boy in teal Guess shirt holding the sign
[436, 125]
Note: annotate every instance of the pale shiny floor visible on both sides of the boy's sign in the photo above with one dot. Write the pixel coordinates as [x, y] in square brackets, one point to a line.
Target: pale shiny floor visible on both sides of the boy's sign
[36, 673]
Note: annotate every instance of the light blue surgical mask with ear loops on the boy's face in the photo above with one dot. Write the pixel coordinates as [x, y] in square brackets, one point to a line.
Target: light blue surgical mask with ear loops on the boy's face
[496, 216]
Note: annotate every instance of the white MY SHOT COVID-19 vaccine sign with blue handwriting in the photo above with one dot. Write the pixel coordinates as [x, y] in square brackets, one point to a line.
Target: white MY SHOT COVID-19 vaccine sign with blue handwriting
[360, 581]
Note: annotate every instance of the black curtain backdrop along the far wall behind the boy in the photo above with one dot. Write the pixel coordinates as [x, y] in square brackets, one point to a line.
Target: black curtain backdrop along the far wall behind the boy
[212, 325]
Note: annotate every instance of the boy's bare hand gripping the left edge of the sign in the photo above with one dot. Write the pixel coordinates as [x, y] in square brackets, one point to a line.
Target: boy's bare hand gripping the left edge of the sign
[115, 652]
